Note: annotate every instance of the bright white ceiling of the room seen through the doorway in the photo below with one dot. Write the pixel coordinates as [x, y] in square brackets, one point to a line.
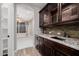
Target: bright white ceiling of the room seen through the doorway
[24, 12]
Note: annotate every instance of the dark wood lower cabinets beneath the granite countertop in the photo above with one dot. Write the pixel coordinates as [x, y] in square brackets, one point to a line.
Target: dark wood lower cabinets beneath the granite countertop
[47, 47]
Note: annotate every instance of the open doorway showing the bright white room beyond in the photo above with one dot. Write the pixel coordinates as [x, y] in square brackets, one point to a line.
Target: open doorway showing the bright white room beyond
[24, 20]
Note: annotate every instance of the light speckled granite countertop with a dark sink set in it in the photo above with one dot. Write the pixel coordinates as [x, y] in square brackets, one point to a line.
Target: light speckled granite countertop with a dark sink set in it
[70, 42]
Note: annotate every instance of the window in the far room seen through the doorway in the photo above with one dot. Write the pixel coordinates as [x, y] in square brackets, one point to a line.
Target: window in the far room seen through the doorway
[22, 26]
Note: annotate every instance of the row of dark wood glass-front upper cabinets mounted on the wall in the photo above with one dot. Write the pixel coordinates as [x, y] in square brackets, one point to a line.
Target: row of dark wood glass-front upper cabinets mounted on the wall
[58, 14]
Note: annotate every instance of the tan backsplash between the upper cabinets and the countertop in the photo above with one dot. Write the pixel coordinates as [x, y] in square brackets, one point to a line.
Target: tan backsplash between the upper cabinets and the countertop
[72, 31]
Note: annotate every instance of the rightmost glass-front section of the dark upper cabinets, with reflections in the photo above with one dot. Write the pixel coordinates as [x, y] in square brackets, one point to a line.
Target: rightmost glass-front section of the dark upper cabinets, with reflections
[70, 12]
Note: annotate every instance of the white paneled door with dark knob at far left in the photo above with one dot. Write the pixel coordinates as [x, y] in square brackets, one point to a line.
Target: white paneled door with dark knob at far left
[7, 29]
